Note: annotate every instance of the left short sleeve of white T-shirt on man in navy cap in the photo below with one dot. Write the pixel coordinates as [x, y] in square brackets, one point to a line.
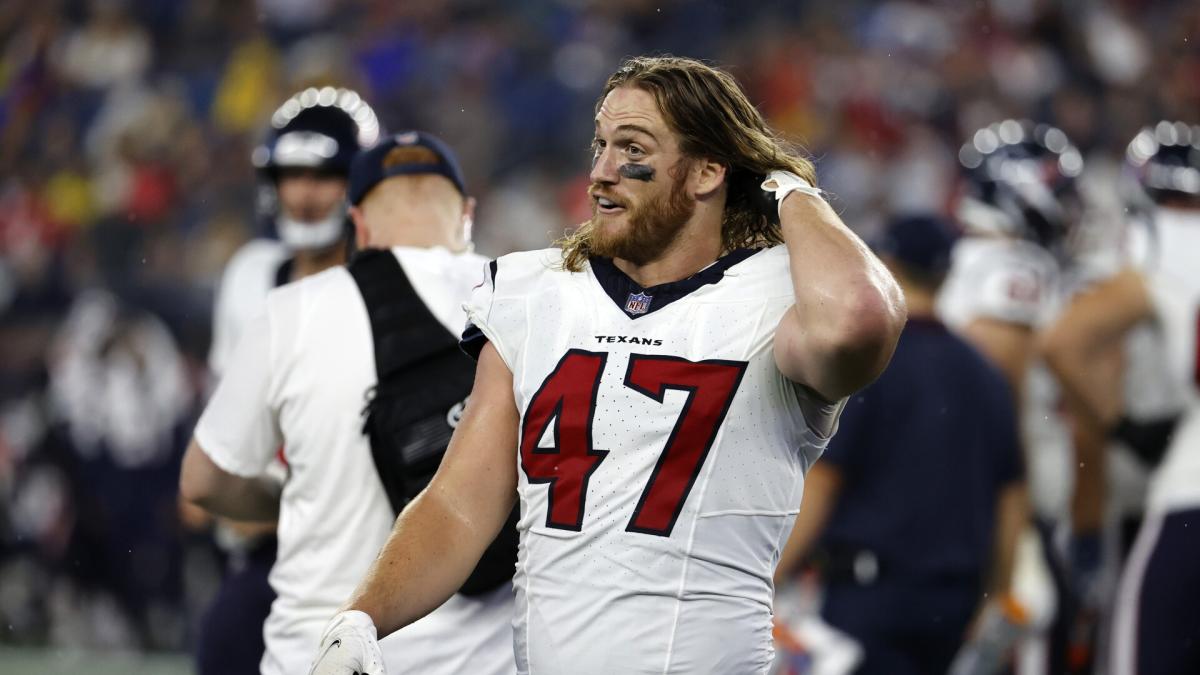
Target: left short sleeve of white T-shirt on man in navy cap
[238, 429]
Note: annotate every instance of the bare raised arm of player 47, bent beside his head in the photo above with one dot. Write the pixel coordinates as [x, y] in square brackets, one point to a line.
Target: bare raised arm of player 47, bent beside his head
[849, 310]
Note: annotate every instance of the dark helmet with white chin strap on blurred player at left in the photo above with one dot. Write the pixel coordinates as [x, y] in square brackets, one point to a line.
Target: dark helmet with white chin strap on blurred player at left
[315, 134]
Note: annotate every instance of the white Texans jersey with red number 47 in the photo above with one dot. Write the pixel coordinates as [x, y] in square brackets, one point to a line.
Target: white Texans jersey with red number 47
[662, 461]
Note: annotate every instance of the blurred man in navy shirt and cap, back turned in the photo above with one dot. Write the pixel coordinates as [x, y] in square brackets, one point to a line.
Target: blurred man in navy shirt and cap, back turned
[913, 513]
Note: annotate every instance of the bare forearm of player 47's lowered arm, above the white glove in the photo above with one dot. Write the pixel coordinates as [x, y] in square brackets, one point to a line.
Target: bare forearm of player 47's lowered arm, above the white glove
[433, 549]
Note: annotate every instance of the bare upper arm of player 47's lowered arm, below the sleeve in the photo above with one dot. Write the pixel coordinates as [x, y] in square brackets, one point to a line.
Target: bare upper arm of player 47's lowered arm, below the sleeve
[478, 474]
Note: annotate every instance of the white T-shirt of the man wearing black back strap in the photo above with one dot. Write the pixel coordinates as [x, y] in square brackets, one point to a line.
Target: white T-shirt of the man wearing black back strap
[299, 377]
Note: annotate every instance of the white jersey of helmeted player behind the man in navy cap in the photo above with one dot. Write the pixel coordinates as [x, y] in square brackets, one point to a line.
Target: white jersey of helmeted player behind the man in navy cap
[248, 278]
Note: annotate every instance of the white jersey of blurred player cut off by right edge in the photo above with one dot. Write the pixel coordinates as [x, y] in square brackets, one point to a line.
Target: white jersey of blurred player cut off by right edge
[1173, 276]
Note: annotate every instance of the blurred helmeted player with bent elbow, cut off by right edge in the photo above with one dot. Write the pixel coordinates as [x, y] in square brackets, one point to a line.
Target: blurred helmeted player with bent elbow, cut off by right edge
[1157, 622]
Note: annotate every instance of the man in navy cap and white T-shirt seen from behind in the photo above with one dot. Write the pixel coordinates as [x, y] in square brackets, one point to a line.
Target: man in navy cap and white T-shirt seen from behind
[301, 378]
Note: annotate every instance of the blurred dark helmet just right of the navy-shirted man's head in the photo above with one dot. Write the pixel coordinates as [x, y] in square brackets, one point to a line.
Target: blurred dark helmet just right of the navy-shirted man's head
[1019, 181]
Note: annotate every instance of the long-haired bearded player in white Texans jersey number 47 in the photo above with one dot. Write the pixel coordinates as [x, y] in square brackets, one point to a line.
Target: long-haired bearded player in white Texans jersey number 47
[652, 392]
